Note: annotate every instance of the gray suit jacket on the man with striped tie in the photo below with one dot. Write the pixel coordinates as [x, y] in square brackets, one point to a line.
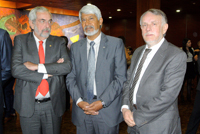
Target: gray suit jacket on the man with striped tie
[157, 110]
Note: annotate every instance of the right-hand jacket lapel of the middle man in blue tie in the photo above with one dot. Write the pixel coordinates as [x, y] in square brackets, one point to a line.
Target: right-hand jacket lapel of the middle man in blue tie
[102, 50]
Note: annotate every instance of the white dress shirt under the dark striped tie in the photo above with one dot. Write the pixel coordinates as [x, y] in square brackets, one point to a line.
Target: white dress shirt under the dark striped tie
[150, 56]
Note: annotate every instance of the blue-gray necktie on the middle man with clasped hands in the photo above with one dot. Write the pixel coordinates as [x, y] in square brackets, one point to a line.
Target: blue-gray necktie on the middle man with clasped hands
[91, 72]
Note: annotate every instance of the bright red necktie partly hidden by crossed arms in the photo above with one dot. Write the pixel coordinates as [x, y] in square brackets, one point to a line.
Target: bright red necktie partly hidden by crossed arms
[43, 88]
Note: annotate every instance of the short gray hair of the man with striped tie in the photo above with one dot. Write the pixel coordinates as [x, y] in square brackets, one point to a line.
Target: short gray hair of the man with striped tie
[156, 12]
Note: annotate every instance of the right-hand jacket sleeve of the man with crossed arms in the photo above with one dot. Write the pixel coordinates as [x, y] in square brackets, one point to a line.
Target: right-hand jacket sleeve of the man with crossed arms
[60, 68]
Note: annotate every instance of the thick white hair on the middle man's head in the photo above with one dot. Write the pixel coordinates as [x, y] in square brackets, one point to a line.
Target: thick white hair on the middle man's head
[90, 9]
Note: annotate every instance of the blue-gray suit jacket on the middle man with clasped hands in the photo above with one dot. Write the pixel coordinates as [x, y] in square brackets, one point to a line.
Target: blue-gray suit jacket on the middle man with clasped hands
[110, 77]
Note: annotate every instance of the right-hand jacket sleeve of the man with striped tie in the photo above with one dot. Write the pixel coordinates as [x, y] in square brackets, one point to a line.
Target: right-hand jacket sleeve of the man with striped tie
[173, 79]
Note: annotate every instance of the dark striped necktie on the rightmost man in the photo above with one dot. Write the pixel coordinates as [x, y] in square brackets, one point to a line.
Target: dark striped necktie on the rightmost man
[137, 75]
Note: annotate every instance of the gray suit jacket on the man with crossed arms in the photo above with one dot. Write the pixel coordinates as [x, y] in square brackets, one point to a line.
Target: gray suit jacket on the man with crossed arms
[25, 49]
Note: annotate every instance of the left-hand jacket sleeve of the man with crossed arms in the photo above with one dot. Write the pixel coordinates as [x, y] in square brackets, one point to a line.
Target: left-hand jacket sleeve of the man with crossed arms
[19, 70]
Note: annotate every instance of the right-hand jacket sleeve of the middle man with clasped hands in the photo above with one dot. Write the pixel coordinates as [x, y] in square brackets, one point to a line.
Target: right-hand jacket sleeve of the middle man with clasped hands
[114, 89]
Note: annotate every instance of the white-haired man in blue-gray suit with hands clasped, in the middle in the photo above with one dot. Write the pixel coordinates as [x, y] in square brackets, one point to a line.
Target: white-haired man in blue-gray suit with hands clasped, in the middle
[97, 77]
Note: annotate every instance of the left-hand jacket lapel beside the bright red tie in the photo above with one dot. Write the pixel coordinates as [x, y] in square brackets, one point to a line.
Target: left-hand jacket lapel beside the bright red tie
[32, 48]
